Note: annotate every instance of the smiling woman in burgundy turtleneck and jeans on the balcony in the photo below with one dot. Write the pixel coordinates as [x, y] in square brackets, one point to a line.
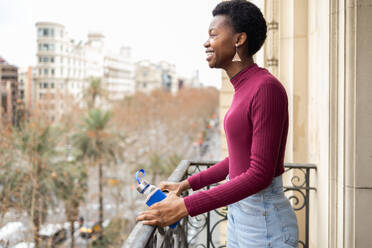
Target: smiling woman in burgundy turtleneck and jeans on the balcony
[256, 126]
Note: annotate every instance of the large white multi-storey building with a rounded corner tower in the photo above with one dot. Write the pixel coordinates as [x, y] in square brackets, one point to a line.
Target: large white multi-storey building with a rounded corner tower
[64, 67]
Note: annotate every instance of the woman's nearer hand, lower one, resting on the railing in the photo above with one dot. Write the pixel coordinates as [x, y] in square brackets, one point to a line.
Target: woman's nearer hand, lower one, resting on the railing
[164, 213]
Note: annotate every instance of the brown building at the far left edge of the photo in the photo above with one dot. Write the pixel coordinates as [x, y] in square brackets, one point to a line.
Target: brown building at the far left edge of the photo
[8, 92]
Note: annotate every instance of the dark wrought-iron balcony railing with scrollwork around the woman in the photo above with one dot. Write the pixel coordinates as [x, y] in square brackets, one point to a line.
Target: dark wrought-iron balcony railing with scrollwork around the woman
[202, 231]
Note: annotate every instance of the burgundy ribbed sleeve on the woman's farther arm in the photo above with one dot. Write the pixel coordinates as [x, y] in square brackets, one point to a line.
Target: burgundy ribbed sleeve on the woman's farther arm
[213, 174]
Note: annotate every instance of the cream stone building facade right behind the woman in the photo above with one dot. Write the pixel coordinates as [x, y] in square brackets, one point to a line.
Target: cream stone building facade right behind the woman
[320, 50]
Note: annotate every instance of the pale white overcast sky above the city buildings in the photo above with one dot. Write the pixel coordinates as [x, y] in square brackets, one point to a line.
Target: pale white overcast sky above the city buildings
[170, 30]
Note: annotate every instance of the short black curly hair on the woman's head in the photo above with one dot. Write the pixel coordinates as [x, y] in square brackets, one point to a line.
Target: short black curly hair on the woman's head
[245, 17]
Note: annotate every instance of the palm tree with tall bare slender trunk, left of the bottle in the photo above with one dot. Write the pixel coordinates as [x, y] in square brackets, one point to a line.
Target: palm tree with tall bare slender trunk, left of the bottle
[97, 145]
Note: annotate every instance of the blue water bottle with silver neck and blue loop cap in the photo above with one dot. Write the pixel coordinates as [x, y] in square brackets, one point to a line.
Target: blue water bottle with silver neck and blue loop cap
[152, 193]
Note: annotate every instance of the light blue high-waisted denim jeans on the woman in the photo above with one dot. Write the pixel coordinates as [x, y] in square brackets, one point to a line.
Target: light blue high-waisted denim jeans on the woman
[263, 220]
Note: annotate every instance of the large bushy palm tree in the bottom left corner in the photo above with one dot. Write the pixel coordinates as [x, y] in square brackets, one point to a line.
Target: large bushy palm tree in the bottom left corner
[25, 176]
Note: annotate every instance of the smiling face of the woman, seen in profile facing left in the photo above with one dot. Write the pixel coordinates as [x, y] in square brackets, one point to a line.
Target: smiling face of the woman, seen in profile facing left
[220, 46]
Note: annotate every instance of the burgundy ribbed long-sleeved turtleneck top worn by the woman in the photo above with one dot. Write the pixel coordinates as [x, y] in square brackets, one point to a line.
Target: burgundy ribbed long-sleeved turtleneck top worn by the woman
[256, 127]
